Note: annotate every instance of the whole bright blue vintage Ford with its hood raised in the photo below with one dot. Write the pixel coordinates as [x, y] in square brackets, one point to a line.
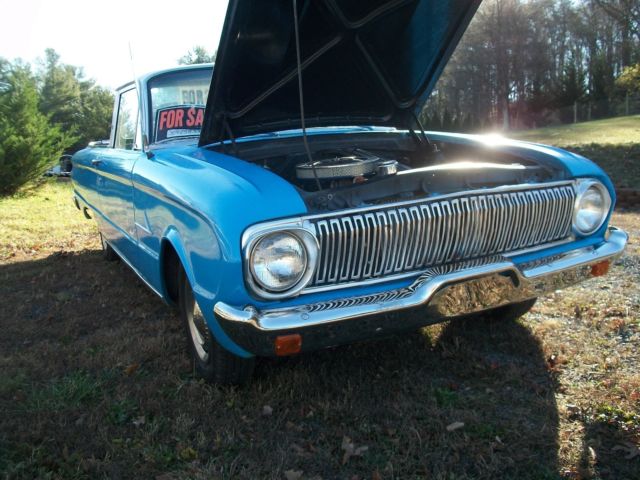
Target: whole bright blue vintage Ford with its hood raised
[306, 203]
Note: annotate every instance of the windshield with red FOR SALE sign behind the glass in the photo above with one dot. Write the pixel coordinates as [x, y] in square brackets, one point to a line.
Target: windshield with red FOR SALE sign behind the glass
[178, 100]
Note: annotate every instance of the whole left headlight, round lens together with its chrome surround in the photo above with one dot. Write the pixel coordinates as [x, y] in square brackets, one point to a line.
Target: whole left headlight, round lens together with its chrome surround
[281, 263]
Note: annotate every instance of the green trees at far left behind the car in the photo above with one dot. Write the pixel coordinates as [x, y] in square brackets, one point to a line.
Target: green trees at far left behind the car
[44, 112]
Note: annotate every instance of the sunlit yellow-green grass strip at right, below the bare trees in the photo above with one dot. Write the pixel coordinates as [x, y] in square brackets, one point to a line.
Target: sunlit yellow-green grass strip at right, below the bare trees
[612, 131]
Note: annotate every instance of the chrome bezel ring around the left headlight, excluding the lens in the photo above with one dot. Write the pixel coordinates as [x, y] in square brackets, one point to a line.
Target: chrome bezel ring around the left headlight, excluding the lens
[254, 236]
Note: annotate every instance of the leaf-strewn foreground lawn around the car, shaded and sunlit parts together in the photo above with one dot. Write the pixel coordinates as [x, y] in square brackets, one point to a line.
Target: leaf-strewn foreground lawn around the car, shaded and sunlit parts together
[95, 381]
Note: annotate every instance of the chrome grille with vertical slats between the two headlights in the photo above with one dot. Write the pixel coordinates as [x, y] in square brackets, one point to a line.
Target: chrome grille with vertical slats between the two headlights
[370, 244]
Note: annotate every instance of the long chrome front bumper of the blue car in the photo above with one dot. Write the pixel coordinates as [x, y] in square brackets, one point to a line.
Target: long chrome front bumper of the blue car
[439, 293]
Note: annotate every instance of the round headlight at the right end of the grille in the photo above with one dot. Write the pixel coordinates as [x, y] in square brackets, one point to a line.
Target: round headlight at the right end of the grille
[591, 208]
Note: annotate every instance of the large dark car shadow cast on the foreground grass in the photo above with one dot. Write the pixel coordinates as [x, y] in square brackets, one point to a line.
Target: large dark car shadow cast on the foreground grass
[470, 399]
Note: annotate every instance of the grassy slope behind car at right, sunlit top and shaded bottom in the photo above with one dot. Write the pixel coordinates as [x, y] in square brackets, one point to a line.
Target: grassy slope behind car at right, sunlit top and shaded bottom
[614, 144]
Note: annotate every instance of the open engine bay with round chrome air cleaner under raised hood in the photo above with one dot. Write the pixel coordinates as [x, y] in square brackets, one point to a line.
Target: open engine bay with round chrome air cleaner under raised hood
[341, 174]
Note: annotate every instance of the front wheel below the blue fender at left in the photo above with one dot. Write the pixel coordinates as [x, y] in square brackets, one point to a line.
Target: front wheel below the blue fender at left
[211, 361]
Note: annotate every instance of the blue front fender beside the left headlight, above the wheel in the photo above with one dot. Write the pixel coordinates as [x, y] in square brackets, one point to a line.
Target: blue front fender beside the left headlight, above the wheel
[200, 203]
